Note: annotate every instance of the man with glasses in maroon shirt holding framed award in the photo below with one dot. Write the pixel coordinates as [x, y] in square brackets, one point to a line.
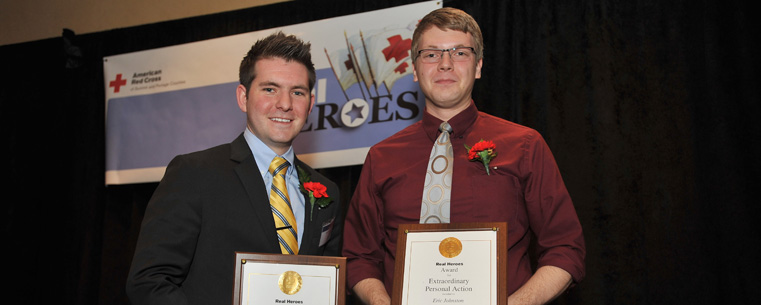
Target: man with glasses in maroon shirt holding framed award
[523, 186]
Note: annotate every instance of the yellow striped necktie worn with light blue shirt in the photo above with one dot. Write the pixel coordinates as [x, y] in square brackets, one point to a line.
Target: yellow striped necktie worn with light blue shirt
[285, 222]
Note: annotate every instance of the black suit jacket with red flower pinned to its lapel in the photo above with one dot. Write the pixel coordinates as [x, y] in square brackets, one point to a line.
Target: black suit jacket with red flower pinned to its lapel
[209, 205]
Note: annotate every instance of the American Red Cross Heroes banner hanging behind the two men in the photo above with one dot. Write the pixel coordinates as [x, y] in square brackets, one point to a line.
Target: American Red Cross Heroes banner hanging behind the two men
[179, 99]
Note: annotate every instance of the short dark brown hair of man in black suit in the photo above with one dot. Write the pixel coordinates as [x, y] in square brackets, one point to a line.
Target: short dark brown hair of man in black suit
[277, 45]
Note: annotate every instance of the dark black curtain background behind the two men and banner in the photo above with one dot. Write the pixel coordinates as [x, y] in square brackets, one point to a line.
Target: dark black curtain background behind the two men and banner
[649, 106]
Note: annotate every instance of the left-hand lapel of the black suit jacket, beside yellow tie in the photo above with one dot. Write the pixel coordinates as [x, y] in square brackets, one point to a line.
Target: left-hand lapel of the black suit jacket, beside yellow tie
[258, 196]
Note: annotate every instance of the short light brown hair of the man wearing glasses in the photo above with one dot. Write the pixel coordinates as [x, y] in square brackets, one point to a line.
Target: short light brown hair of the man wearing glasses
[447, 18]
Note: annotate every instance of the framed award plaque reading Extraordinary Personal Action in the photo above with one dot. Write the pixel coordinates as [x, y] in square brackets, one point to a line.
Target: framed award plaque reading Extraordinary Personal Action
[463, 263]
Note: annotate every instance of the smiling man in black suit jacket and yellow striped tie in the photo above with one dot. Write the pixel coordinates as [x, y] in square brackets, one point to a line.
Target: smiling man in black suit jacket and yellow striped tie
[215, 202]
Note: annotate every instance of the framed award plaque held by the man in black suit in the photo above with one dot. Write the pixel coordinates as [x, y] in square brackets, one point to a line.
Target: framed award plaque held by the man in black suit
[264, 279]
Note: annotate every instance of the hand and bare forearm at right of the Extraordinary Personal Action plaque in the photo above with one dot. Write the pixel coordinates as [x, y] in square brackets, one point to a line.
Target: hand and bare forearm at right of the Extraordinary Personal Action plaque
[544, 286]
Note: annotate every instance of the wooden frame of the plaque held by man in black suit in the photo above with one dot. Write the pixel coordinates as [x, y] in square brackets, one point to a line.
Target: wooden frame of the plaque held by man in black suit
[338, 262]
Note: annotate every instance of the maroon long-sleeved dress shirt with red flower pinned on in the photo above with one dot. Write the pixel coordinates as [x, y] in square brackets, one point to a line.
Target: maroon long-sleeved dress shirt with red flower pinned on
[525, 189]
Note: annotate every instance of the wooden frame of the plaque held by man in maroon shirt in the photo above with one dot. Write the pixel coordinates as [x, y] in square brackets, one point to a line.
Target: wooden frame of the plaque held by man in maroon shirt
[401, 245]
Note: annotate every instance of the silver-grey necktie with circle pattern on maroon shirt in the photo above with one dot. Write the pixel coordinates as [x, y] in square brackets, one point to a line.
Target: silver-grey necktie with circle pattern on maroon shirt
[438, 180]
